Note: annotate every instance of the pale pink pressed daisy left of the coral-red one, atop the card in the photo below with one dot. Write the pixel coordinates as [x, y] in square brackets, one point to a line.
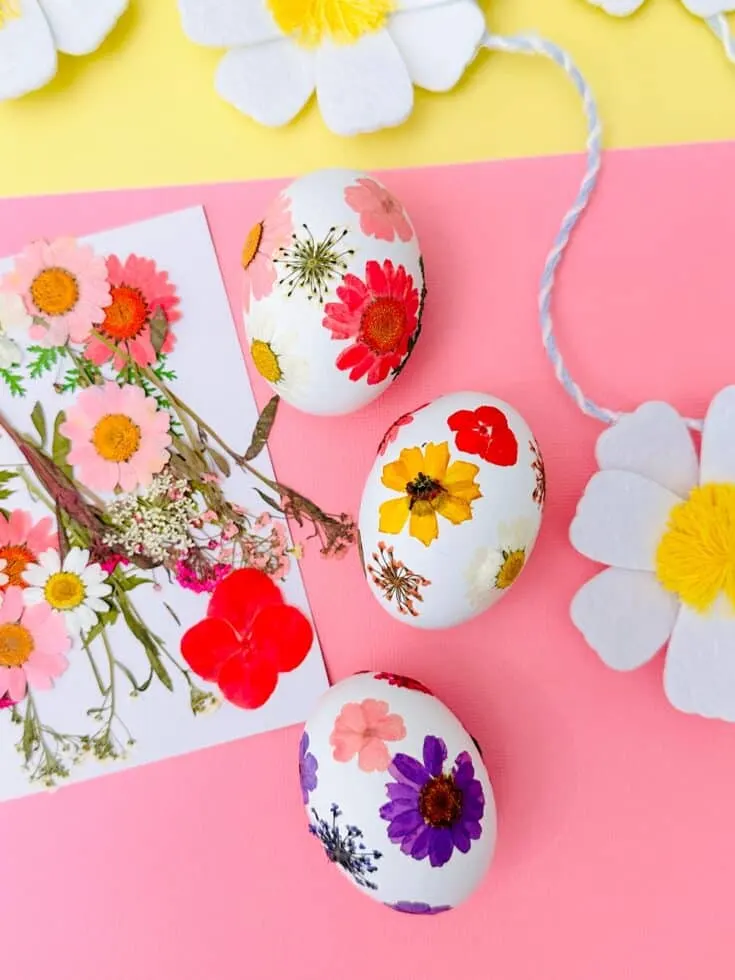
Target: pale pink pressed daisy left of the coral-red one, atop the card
[64, 284]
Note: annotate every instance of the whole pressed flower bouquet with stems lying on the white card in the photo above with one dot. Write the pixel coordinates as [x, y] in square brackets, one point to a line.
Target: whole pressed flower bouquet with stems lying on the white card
[135, 485]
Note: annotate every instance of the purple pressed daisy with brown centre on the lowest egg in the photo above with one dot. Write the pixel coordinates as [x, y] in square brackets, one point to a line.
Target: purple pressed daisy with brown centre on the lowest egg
[432, 812]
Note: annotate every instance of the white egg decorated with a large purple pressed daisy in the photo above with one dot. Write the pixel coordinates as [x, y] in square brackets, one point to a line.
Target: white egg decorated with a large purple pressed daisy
[397, 793]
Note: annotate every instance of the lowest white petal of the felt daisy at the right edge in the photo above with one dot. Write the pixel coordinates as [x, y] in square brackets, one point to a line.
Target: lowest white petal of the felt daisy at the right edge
[700, 665]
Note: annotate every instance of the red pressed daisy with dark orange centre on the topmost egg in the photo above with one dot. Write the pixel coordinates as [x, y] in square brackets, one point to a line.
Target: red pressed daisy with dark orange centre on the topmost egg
[381, 314]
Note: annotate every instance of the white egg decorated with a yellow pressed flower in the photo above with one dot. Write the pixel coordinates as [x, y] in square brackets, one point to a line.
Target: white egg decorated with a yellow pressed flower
[451, 509]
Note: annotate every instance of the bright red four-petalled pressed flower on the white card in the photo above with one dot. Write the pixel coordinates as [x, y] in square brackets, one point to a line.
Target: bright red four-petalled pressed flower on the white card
[249, 636]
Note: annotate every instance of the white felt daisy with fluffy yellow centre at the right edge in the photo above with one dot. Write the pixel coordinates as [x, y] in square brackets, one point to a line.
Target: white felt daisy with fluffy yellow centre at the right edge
[665, 523]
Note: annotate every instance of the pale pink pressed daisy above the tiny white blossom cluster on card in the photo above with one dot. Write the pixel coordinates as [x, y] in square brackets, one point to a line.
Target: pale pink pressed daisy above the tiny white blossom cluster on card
[119, 437]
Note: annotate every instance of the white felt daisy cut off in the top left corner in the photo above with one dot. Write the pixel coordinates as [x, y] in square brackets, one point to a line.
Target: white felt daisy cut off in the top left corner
[32, 31]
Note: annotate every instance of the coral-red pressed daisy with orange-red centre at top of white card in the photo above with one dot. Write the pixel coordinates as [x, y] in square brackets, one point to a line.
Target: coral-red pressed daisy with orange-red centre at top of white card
[139, 290]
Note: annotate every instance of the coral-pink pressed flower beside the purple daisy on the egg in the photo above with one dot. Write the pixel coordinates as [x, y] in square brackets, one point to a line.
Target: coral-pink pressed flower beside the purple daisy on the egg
[362, 730]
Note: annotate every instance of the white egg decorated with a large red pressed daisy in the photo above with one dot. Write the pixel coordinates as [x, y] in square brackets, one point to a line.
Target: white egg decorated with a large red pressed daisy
[333, 291]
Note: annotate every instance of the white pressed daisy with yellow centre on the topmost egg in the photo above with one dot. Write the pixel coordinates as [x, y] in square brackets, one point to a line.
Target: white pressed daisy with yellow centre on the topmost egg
[274, 350]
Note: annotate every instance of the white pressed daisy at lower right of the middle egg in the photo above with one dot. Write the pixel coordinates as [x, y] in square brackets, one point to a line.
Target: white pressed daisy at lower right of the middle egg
[493, 570]
